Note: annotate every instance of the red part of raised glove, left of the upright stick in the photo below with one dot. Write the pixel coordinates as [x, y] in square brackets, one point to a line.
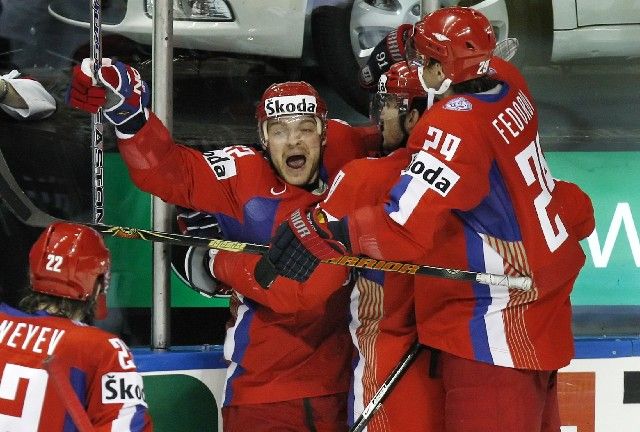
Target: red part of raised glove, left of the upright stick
[84, 94]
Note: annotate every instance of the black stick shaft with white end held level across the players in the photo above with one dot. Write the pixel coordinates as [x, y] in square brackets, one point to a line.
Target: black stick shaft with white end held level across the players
[522, 283]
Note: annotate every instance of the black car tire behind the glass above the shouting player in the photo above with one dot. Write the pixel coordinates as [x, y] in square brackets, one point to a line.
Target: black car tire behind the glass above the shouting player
[330, 30]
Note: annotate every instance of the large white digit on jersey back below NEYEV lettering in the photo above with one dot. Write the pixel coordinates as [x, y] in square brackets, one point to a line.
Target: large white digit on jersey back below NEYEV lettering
[31, 406]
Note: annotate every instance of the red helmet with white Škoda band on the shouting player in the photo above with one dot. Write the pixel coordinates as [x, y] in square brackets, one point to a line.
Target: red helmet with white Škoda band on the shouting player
[291, 98]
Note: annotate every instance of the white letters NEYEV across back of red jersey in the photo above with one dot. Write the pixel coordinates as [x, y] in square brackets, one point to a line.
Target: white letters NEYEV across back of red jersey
[29, 337]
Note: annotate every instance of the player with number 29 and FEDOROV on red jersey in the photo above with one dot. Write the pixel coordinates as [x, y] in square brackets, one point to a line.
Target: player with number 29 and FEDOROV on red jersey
[478, 195]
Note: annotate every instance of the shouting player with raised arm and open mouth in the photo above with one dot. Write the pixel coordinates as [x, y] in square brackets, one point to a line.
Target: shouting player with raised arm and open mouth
[287, 371]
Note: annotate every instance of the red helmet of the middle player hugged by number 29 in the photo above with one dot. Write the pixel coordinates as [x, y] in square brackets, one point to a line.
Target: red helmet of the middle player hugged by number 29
[399, 85]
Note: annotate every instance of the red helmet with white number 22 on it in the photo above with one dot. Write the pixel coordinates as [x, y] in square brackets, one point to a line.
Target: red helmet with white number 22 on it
[66, 261]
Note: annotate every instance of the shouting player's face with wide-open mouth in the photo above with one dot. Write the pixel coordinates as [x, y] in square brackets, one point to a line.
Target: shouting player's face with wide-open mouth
[295, 148]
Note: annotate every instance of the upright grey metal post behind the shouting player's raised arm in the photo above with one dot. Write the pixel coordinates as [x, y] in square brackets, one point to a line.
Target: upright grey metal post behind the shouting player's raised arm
[162, 104]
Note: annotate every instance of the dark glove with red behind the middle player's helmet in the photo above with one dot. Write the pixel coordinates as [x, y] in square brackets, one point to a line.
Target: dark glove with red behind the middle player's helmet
[389, 50]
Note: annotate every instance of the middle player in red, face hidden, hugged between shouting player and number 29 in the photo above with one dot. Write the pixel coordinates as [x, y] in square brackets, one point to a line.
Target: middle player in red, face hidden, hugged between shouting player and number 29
[382, 321]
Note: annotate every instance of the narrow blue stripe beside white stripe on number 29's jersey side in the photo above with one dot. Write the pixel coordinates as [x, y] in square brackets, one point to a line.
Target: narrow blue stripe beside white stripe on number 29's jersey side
[477, 327]
